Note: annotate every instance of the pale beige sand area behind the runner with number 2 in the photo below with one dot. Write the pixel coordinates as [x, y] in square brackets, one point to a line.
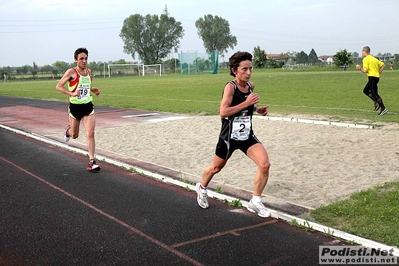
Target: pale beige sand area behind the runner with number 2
[312, 164]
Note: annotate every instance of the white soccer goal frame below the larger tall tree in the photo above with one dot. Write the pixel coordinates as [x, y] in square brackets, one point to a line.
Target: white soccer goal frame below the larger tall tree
[134, 70]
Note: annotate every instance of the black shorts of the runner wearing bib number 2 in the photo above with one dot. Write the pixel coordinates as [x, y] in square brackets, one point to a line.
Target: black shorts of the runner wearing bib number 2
[224, 148]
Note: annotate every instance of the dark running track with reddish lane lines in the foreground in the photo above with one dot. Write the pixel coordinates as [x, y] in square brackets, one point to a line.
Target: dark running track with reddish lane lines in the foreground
[54, 212]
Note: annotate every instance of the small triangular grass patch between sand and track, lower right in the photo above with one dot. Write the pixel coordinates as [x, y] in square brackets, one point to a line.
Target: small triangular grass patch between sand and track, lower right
[372, 213]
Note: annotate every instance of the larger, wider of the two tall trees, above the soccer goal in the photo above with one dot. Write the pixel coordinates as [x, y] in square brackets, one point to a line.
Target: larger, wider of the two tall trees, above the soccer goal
[150, 37]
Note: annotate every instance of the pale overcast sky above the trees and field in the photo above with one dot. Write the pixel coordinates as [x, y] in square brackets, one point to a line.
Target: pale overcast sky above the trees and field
[46, 31]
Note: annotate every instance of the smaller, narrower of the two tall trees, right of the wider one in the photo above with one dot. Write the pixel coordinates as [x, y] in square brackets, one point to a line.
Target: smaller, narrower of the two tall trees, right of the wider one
[215, 33]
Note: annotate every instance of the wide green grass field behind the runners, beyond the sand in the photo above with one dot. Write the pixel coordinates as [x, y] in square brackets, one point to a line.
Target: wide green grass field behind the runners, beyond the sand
[333, 94]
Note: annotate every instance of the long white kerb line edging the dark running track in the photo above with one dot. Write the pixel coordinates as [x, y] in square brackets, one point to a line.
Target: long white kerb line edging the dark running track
[275, 214]
